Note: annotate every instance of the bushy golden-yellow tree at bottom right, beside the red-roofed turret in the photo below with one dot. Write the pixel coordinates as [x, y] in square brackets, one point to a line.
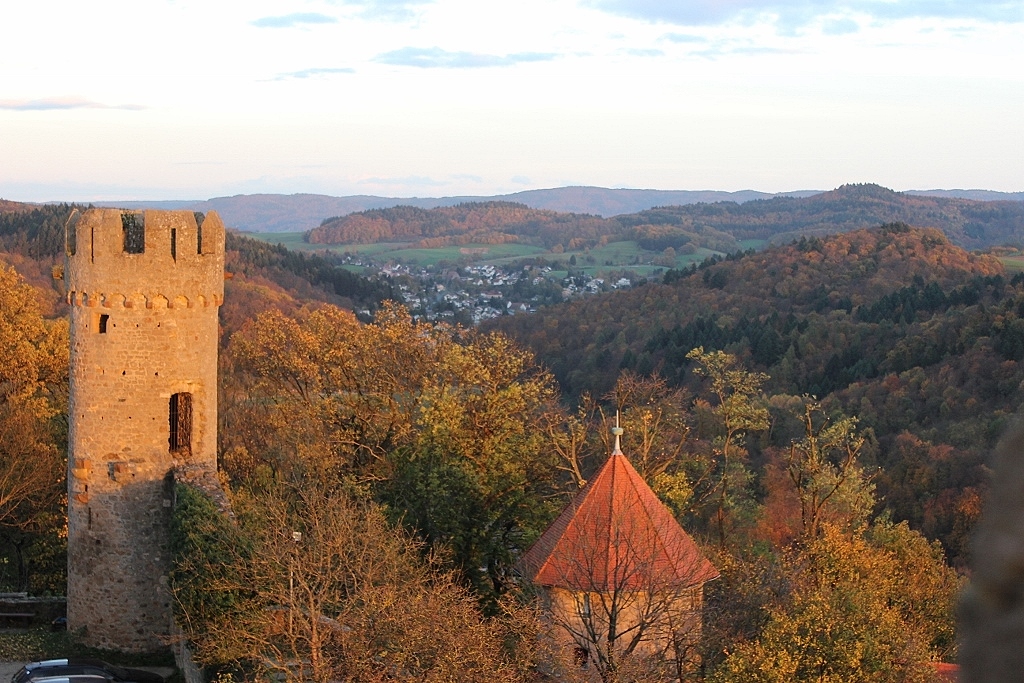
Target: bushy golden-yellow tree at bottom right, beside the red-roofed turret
[842, 622]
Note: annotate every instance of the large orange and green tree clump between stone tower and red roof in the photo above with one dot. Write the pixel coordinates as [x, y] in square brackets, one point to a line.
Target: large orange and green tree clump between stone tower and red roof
[435, 421]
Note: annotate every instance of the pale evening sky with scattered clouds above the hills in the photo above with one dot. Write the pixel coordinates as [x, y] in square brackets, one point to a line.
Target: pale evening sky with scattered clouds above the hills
[189, 100]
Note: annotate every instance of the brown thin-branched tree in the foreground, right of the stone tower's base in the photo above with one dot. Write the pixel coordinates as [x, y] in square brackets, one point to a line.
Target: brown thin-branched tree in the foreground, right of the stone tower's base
[314, 585]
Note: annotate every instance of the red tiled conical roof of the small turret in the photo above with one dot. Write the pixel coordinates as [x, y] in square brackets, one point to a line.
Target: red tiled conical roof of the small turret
[616, 535]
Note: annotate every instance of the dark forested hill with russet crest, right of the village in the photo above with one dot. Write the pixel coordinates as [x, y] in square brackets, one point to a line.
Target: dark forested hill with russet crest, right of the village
[919, 339]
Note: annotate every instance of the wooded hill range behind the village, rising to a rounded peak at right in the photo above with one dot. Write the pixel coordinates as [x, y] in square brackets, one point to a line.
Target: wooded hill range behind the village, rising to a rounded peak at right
[720, 226]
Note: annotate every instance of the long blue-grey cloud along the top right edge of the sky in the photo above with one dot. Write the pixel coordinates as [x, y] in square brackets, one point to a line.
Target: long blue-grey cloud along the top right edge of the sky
[799, 13]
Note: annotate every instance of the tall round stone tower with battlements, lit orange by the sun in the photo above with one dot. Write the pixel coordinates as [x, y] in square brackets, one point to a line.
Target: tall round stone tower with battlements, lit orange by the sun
[145, 289]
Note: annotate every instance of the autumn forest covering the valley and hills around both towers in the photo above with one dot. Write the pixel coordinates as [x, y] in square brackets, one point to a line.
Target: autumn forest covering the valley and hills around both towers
[818, 414]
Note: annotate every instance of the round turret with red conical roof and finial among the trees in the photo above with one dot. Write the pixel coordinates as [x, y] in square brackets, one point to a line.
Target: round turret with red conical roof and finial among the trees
[619, 575]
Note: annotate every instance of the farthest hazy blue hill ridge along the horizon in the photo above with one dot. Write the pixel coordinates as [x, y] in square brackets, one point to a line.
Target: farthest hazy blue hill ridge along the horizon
[278, 214]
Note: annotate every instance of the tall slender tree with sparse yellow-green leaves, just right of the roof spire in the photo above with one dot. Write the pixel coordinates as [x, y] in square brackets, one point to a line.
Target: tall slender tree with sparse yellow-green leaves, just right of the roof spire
[739, 411]
